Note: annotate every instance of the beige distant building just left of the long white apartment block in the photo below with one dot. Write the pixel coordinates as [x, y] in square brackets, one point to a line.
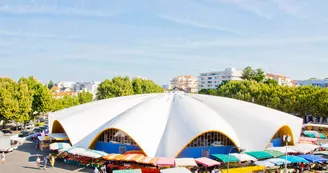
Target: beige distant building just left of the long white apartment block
[186, 83]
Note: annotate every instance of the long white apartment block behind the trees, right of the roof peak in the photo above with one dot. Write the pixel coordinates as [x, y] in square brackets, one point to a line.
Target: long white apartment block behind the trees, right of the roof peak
[212, 80]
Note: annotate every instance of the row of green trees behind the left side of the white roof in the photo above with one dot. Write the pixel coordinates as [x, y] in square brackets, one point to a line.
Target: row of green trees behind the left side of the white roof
[24, 100]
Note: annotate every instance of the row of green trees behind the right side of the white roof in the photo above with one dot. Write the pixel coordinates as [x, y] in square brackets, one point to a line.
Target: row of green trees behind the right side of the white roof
[301, 101]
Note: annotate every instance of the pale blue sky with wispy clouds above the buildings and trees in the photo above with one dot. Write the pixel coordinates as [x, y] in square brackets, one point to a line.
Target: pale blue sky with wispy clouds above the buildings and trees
[159, 39]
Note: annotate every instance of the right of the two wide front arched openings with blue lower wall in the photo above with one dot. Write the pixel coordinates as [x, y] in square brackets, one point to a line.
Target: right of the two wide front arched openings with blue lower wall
[207, 143]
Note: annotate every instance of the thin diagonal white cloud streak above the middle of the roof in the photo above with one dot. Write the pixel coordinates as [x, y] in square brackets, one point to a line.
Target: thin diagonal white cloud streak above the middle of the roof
[190, 22]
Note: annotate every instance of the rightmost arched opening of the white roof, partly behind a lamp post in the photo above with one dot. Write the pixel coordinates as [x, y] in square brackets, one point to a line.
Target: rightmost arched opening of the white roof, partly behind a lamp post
[277, 138]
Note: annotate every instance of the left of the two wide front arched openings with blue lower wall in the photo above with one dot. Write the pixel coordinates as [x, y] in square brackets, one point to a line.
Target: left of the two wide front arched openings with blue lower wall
[115, 141]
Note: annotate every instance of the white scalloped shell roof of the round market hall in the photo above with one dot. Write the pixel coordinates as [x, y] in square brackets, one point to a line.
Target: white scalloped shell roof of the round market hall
[163, 124]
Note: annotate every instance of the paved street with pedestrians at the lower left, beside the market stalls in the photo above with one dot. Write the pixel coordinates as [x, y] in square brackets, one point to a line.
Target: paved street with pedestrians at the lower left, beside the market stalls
[23, 161]
